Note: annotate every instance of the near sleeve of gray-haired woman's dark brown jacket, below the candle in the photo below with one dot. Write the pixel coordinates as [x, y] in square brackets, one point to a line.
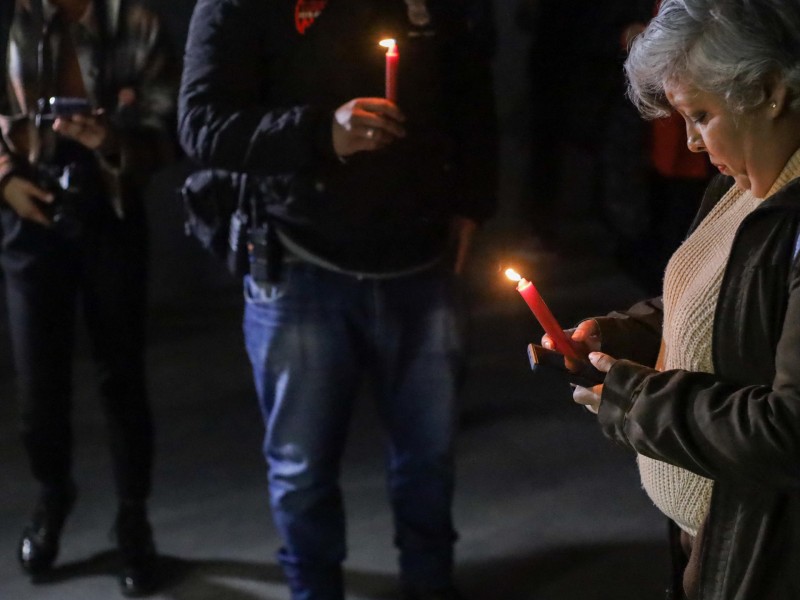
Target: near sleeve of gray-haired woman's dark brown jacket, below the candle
[747, 435]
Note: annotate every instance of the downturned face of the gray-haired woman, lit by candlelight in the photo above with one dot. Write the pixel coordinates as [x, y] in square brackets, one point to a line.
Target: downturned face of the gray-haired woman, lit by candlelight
[732, 141]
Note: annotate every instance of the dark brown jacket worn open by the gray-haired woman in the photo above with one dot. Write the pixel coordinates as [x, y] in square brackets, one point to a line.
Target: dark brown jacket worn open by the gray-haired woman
[739, 426]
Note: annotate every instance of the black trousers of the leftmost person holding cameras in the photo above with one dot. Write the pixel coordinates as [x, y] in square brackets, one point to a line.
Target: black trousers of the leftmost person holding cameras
[48, 278]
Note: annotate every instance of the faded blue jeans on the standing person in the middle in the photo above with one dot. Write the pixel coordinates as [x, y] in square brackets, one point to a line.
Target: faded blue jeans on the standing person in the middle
[312, 340]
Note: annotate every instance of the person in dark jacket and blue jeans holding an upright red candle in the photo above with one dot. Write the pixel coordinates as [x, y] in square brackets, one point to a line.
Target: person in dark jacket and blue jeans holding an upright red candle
[371, 204]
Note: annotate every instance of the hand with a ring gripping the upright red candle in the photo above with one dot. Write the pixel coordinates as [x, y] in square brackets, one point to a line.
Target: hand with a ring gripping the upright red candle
[366, 124]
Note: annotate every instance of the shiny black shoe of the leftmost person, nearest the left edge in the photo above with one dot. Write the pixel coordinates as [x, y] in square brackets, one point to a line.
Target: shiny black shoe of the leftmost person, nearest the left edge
[38, 546]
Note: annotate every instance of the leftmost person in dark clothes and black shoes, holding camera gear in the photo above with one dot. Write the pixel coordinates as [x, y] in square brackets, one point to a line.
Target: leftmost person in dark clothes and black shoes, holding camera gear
[85, 122]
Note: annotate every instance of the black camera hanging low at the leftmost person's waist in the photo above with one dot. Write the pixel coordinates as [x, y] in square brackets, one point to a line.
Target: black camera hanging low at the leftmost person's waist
[65, 184]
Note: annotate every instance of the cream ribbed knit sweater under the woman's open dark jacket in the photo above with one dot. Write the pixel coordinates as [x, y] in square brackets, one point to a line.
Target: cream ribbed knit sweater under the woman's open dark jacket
[691, 286]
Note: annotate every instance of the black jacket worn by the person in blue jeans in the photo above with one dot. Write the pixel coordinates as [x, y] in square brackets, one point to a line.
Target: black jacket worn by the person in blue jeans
[259, 89]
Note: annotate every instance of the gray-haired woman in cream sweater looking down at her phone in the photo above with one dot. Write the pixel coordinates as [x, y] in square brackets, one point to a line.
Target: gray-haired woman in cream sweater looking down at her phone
[704, 383]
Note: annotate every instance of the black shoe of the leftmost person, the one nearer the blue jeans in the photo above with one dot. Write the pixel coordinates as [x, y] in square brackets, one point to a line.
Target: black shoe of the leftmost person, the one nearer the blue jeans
[138, 572]
